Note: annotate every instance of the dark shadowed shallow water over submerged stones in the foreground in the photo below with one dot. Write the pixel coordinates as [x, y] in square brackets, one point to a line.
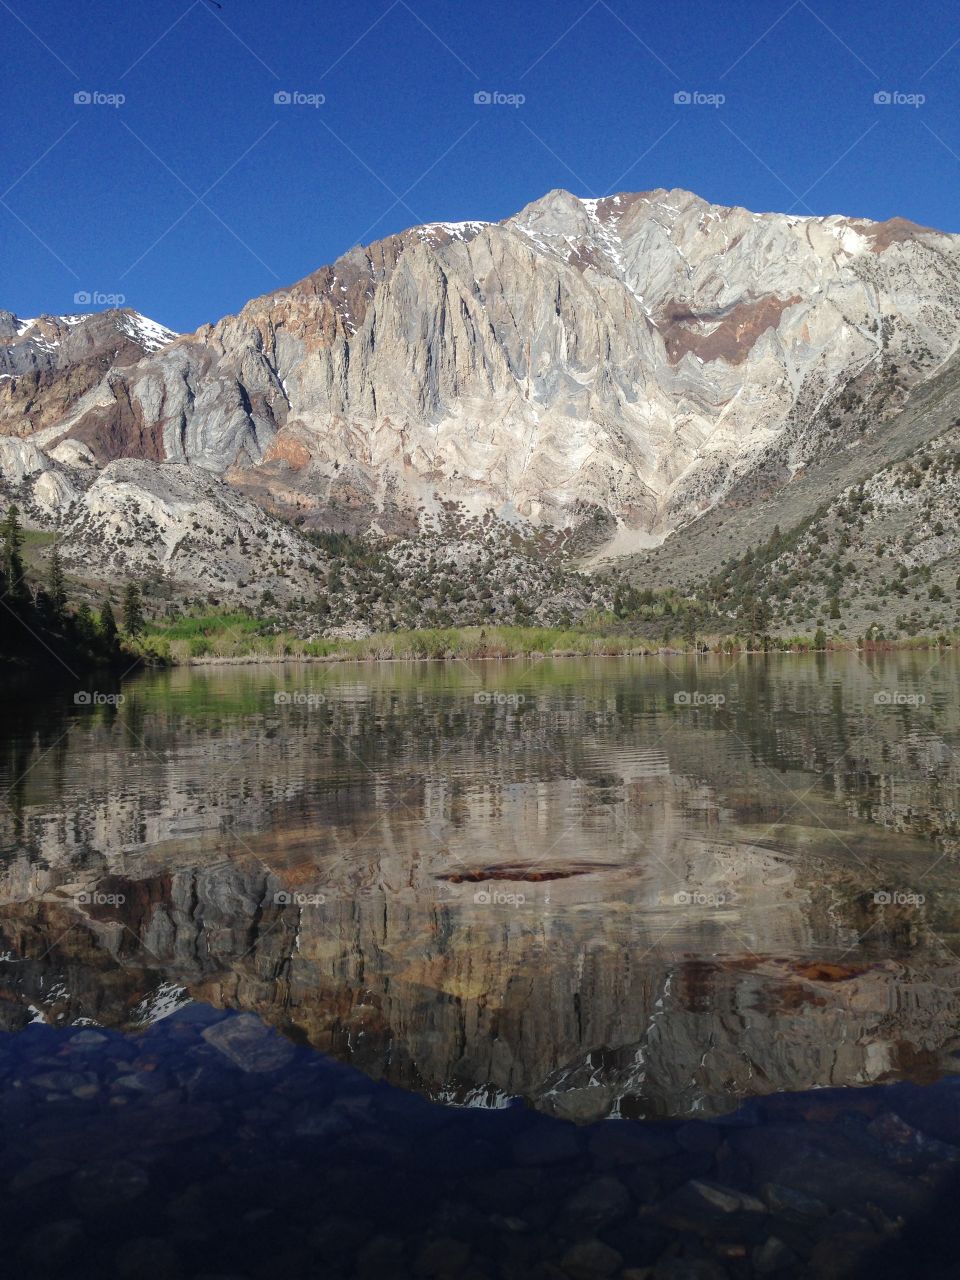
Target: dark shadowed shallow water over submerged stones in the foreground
[208, 1146]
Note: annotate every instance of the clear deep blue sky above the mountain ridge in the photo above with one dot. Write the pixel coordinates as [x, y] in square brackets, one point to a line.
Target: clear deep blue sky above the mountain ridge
[200, 191]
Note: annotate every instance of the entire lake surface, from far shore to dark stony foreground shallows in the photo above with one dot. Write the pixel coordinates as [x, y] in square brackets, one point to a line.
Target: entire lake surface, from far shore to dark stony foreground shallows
[561, 968]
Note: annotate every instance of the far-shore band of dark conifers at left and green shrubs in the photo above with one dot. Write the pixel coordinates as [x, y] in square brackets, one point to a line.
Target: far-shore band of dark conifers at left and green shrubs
[42, 628]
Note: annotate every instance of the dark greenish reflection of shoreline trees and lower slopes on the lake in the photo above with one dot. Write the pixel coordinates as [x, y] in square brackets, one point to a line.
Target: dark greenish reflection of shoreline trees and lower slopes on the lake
[216, 746]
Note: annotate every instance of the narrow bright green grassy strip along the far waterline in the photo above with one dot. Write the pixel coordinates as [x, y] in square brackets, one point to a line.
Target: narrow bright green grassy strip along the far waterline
[234, 638]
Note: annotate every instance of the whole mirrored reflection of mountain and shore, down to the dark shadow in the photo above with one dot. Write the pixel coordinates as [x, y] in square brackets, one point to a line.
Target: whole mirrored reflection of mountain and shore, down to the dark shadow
[579, 890]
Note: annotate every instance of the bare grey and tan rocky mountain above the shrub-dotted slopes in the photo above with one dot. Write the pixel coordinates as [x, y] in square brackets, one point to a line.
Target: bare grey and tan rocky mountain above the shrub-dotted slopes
[621, 368]
